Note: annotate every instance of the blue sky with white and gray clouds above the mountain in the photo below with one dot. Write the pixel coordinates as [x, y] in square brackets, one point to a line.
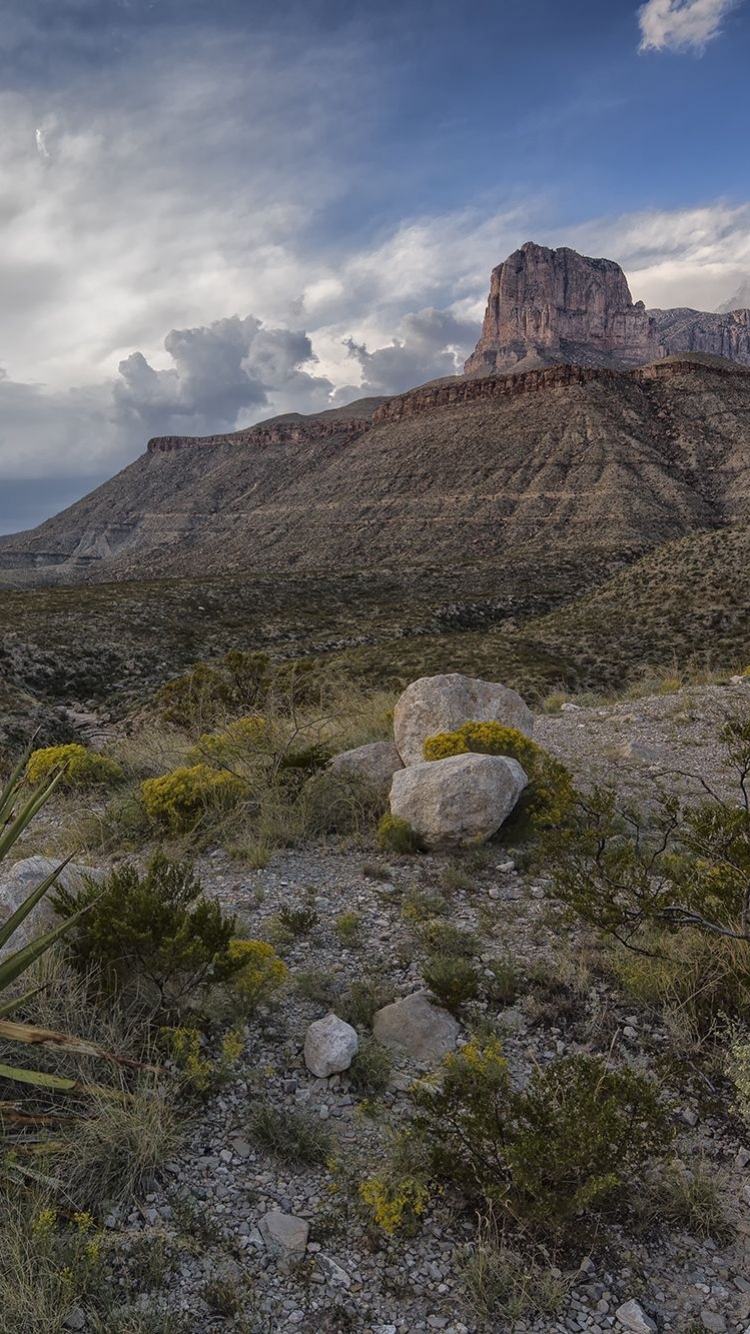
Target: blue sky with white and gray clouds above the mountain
[214, 211]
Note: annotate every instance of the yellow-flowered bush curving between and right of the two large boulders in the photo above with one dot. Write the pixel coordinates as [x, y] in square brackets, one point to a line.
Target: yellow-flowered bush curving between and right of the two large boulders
[549, 794]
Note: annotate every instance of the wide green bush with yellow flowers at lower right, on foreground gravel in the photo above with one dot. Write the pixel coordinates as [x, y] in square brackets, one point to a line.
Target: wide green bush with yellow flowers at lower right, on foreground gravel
[565, 1144]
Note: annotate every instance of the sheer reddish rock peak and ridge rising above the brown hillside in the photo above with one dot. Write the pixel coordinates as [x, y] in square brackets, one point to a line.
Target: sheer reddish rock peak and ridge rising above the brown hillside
[550, 306]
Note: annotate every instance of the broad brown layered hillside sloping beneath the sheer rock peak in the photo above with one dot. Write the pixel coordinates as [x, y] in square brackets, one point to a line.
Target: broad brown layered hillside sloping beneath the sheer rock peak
[565, 461]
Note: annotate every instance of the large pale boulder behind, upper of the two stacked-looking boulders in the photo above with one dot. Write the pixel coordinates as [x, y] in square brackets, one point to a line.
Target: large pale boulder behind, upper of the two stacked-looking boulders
[442, 704]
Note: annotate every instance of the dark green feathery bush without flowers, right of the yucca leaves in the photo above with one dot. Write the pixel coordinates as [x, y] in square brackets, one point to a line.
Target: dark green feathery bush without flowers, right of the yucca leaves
[154, 929]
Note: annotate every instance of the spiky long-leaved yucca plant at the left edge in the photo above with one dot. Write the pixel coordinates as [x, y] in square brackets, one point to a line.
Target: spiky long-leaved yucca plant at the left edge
[18, 810]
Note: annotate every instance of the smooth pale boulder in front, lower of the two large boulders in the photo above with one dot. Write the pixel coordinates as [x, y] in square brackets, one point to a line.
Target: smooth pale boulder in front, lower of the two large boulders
[458, 801]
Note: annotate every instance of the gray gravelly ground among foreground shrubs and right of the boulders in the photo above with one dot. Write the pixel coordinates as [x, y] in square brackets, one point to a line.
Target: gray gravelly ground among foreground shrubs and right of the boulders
[330, 1272]
